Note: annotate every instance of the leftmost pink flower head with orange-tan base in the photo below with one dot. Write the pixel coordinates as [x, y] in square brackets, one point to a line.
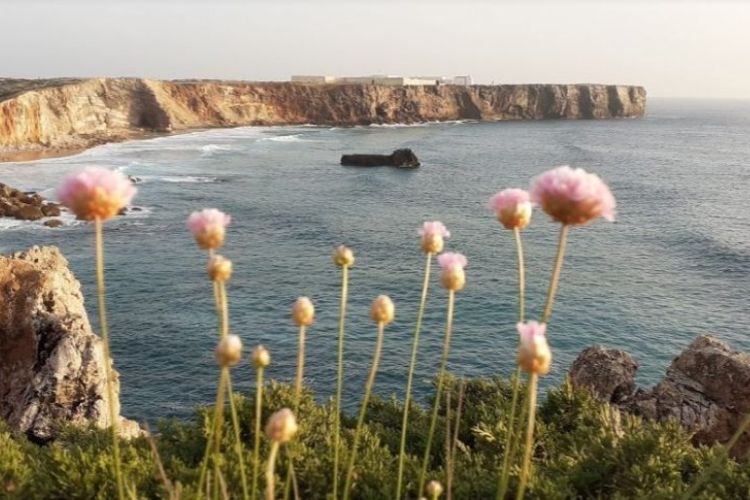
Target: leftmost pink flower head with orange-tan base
[96, 193]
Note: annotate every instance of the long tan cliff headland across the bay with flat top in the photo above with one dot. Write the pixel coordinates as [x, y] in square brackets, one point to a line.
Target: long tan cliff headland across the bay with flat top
[71, 114]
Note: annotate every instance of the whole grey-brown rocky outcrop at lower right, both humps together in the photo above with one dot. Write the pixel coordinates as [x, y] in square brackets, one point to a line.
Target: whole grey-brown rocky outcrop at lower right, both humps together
[706, 389]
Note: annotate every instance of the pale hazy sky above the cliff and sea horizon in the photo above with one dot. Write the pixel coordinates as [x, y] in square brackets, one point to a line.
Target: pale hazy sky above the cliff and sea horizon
[674, 48]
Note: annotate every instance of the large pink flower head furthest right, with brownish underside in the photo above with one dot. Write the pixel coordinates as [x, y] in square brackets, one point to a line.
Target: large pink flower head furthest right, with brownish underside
[572, 195]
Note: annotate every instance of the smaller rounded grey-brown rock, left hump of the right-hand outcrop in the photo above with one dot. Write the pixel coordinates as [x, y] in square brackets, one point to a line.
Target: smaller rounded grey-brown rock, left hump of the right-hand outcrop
[608, 373]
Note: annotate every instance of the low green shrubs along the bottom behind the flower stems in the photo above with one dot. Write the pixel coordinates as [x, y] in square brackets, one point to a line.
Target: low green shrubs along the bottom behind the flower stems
[583, 450]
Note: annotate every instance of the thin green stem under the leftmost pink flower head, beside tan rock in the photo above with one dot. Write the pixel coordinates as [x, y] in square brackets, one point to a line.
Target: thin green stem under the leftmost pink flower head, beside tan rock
[101, 295]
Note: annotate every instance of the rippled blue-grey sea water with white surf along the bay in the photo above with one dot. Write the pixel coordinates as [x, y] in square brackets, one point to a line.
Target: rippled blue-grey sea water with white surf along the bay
[676, 264]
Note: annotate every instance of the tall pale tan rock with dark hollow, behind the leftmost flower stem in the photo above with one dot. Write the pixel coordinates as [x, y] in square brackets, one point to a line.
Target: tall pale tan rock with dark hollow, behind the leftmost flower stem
[51, 363]
